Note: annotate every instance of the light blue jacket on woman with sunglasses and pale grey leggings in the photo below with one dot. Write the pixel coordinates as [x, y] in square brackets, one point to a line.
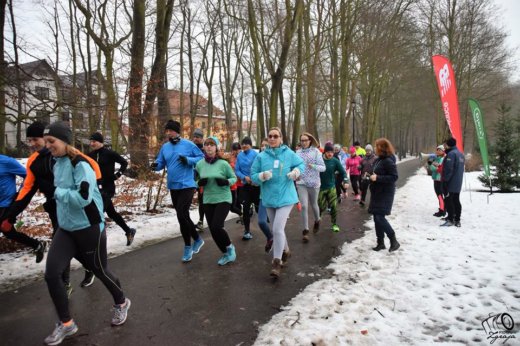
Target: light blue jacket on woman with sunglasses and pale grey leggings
[279, 191]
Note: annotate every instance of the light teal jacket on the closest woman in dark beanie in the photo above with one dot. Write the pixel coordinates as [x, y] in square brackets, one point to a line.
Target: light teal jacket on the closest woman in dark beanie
[77, 210]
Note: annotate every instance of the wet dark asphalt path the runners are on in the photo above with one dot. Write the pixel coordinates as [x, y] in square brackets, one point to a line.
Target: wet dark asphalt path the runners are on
[198, 303]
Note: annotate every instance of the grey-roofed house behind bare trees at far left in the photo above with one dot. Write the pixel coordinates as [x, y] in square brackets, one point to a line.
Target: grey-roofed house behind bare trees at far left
[34, 91]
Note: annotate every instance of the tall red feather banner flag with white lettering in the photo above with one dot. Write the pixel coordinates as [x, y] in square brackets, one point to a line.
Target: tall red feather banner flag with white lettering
[448, 91]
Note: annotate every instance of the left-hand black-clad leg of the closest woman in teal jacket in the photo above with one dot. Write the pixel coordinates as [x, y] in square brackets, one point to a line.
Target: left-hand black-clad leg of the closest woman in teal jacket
[61, 252]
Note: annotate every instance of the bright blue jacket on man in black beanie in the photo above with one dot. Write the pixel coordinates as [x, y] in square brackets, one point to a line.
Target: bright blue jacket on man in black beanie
[180, 176]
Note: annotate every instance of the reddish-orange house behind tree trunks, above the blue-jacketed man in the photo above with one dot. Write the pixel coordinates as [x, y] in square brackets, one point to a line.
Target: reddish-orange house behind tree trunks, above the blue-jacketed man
[217, 127]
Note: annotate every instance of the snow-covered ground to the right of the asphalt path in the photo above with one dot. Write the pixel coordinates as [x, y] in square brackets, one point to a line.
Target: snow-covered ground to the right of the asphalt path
[443, 285]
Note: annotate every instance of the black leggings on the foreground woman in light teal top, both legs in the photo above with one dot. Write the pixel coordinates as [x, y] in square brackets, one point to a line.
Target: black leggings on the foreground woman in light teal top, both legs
[89, 247]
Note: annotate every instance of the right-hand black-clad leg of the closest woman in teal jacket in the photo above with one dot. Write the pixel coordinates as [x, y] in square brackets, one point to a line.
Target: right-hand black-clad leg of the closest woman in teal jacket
[92, 253]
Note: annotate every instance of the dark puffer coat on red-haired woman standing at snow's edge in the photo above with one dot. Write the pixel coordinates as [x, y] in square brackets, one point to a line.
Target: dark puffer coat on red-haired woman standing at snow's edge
[383, 189]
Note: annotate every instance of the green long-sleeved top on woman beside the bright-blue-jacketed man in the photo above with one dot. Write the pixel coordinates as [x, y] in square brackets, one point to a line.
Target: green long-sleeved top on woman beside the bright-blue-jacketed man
[214, 194]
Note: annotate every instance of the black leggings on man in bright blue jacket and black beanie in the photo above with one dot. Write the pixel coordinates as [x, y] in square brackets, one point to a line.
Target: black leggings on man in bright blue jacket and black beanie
[181, 200]
